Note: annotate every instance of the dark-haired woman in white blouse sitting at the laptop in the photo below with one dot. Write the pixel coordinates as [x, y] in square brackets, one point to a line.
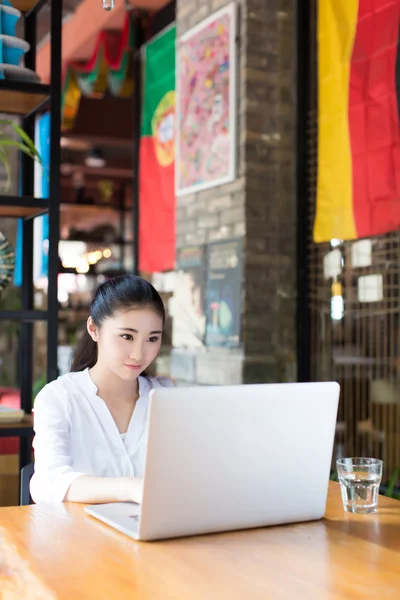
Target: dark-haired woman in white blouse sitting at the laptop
[91, 425]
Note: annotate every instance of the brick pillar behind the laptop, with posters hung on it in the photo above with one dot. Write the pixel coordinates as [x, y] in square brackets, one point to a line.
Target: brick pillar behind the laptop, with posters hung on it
[260, 205]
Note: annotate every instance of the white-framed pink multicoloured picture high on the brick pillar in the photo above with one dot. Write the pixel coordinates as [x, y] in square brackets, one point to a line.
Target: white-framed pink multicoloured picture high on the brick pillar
[206, 80]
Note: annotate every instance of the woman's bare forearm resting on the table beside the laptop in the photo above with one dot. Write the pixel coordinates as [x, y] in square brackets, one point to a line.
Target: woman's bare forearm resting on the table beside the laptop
[100, 490]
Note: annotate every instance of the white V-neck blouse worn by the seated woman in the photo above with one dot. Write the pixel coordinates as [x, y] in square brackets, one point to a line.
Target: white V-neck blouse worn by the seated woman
[75, 434]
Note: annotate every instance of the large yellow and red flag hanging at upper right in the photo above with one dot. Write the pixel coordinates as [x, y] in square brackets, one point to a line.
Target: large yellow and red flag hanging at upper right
[358, 184]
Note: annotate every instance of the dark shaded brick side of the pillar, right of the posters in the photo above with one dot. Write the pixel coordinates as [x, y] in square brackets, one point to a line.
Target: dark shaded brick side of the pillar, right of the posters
[269, 106]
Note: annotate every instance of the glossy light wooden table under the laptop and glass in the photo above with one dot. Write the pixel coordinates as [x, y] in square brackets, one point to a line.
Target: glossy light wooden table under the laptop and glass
[69, 555]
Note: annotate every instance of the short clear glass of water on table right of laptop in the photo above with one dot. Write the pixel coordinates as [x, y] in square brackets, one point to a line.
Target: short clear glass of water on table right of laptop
[360, 479]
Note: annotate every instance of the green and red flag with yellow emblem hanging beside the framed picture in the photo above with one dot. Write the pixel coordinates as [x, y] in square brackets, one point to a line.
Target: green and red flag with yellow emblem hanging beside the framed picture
[157, 157]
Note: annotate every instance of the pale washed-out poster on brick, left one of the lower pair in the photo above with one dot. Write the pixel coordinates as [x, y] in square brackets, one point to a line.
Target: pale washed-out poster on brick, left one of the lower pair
[188, 301]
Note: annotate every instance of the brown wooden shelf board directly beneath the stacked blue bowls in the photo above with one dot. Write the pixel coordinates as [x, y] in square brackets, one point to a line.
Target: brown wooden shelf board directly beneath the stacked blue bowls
[22, 97]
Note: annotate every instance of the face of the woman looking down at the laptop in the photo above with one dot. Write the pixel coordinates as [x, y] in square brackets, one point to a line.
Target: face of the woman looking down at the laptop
[128, 342]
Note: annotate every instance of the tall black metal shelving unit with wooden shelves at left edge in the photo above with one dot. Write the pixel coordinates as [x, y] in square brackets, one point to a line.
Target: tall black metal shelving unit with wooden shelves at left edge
[26, 100]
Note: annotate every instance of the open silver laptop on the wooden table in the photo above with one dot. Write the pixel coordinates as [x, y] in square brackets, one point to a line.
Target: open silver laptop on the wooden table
[228, 458]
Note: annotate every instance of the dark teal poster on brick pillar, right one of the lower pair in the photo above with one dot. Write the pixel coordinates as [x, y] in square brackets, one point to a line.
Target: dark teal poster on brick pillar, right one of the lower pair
[223, 293]
